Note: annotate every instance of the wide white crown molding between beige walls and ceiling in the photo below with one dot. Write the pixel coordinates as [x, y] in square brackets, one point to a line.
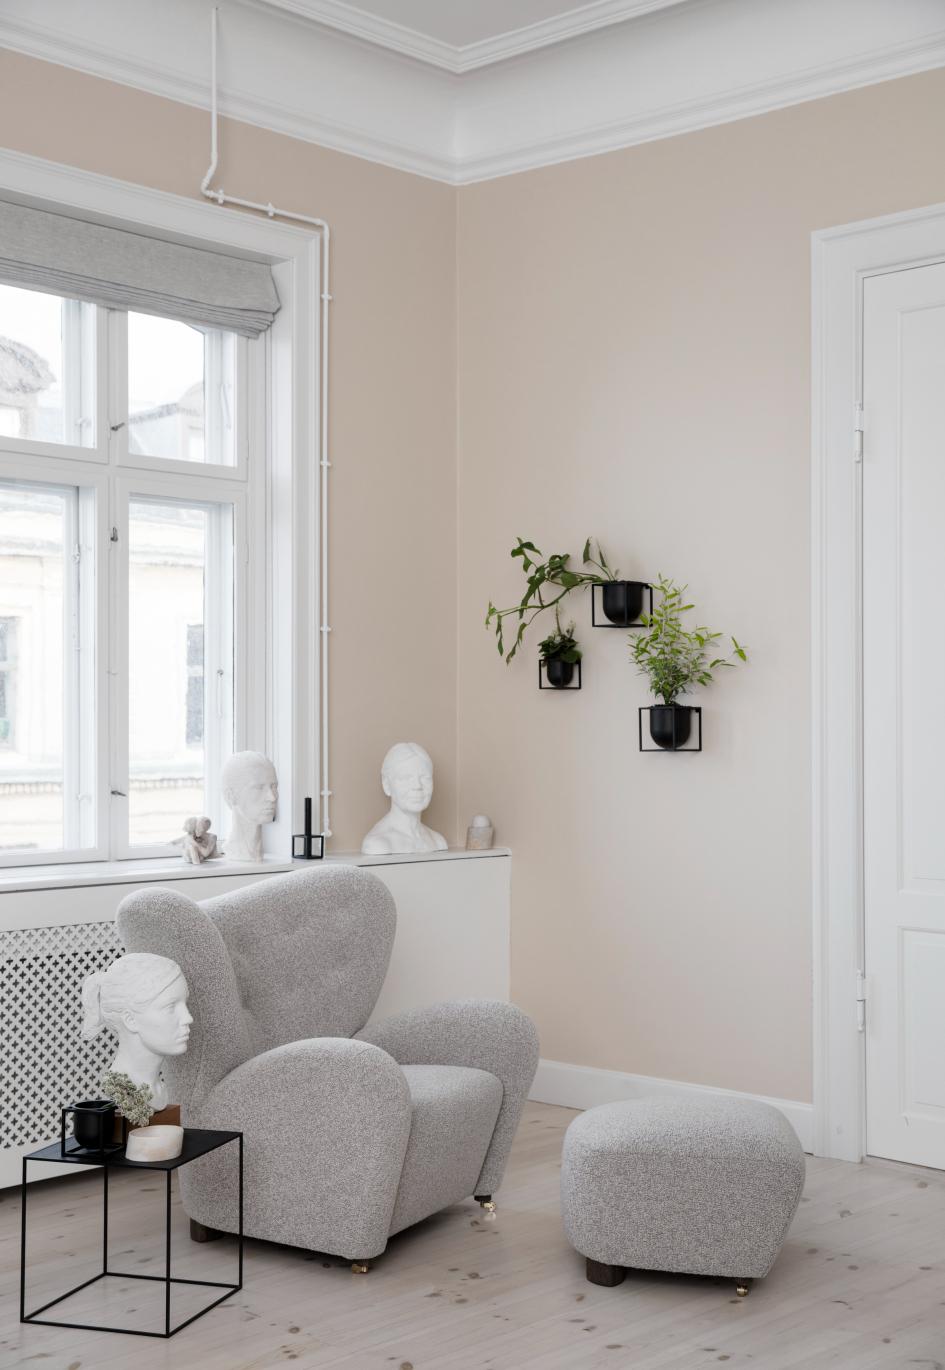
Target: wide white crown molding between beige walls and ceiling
[625, 84]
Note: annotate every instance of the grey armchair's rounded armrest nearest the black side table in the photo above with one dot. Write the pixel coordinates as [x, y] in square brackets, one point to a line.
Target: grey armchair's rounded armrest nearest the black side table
[325, 1125]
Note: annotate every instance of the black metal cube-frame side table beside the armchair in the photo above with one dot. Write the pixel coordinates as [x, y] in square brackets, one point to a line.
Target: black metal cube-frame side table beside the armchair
[198, 1142]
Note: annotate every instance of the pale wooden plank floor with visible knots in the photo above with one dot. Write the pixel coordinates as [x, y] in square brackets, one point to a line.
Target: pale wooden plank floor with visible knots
[861, 1284]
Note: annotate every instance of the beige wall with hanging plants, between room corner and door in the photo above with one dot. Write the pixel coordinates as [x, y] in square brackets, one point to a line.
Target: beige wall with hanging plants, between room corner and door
[635, 364]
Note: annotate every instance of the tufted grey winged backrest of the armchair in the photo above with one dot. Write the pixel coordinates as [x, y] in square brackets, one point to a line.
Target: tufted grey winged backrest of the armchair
[299, 956]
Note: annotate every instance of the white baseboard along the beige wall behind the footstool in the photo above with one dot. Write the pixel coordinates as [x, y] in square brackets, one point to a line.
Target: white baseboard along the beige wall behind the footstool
[585, 1087]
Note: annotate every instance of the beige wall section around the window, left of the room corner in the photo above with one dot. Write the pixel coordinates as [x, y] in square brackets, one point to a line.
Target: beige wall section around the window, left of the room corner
[394, 376]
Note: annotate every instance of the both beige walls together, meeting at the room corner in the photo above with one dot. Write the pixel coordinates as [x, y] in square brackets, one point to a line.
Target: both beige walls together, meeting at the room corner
[633, 364]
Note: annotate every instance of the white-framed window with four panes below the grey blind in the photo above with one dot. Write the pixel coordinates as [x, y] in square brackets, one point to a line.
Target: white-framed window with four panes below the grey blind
[123, 499]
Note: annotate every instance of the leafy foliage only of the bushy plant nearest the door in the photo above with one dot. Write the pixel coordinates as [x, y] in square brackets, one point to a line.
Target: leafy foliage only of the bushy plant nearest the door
[673, 657]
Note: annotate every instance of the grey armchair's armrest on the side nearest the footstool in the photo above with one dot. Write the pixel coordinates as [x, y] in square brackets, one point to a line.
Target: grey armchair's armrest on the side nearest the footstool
[483, 1034]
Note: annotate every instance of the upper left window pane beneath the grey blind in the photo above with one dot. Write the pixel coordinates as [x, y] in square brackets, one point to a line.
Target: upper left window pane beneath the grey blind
[47, 368]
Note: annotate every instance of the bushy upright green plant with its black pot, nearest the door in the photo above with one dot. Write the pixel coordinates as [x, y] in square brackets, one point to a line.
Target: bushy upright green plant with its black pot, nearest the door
[676, 660]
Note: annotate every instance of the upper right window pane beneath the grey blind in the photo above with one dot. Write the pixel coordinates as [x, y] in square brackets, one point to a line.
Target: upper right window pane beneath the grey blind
[181, 386]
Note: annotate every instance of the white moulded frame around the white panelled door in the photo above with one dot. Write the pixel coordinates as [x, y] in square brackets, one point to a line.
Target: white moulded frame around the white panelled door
[842, 261]
